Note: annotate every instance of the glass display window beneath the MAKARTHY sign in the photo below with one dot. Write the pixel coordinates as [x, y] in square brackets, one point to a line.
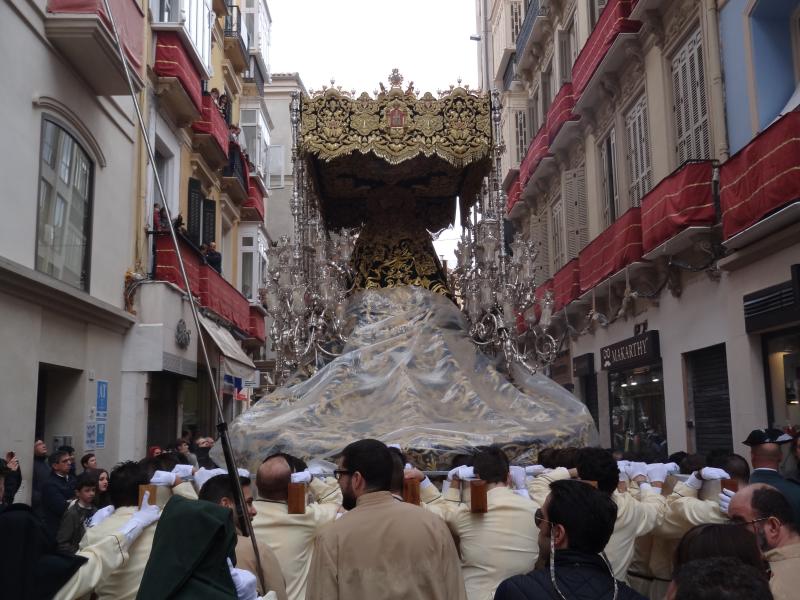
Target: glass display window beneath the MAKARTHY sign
[638, 421]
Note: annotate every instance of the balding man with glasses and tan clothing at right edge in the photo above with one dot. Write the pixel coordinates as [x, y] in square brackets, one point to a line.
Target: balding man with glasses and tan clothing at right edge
[769, 514]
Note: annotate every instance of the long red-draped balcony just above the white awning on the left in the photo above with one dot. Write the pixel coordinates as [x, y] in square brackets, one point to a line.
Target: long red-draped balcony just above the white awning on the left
[212, 290]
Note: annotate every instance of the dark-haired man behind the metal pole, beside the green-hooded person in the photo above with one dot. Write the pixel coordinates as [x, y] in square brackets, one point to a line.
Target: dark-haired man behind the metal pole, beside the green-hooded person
[220, 490]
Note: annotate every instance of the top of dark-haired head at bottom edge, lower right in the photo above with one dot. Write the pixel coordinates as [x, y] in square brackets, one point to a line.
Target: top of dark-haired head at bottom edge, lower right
[721, 577]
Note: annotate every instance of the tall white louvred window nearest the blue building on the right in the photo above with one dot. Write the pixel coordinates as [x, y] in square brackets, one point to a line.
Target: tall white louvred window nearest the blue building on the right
[691, 103]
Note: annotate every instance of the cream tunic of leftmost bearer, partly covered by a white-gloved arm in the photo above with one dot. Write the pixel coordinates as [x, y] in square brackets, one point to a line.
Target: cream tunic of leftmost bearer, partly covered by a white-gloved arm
[122, 583]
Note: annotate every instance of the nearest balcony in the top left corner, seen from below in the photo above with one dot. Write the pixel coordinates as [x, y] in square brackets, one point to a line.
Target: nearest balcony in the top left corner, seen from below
[81, 31]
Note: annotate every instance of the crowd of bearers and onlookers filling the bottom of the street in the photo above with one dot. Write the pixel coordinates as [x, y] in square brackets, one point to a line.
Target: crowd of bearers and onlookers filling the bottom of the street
[582, 523]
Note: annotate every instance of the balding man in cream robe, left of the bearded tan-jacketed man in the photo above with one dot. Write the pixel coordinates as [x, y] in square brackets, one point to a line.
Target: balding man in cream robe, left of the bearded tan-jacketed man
[291, 537]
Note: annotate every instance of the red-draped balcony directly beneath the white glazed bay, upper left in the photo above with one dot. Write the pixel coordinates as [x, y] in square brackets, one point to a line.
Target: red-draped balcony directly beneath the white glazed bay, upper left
[178, 87]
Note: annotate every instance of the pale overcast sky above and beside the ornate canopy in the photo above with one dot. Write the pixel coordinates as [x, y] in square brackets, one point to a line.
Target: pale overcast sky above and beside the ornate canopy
[359, 42]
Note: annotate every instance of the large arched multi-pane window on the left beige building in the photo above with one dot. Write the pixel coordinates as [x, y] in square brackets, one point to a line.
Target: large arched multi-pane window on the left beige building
[64, 207]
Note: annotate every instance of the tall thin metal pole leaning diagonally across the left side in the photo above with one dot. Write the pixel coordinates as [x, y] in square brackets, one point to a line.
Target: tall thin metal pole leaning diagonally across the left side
[222, 427]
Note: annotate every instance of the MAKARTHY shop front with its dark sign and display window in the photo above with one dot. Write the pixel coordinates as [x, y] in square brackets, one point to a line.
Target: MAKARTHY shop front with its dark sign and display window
[636, 395]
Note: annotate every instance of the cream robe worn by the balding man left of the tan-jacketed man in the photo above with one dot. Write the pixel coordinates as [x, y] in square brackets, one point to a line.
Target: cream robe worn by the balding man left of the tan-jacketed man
[291, 537]
